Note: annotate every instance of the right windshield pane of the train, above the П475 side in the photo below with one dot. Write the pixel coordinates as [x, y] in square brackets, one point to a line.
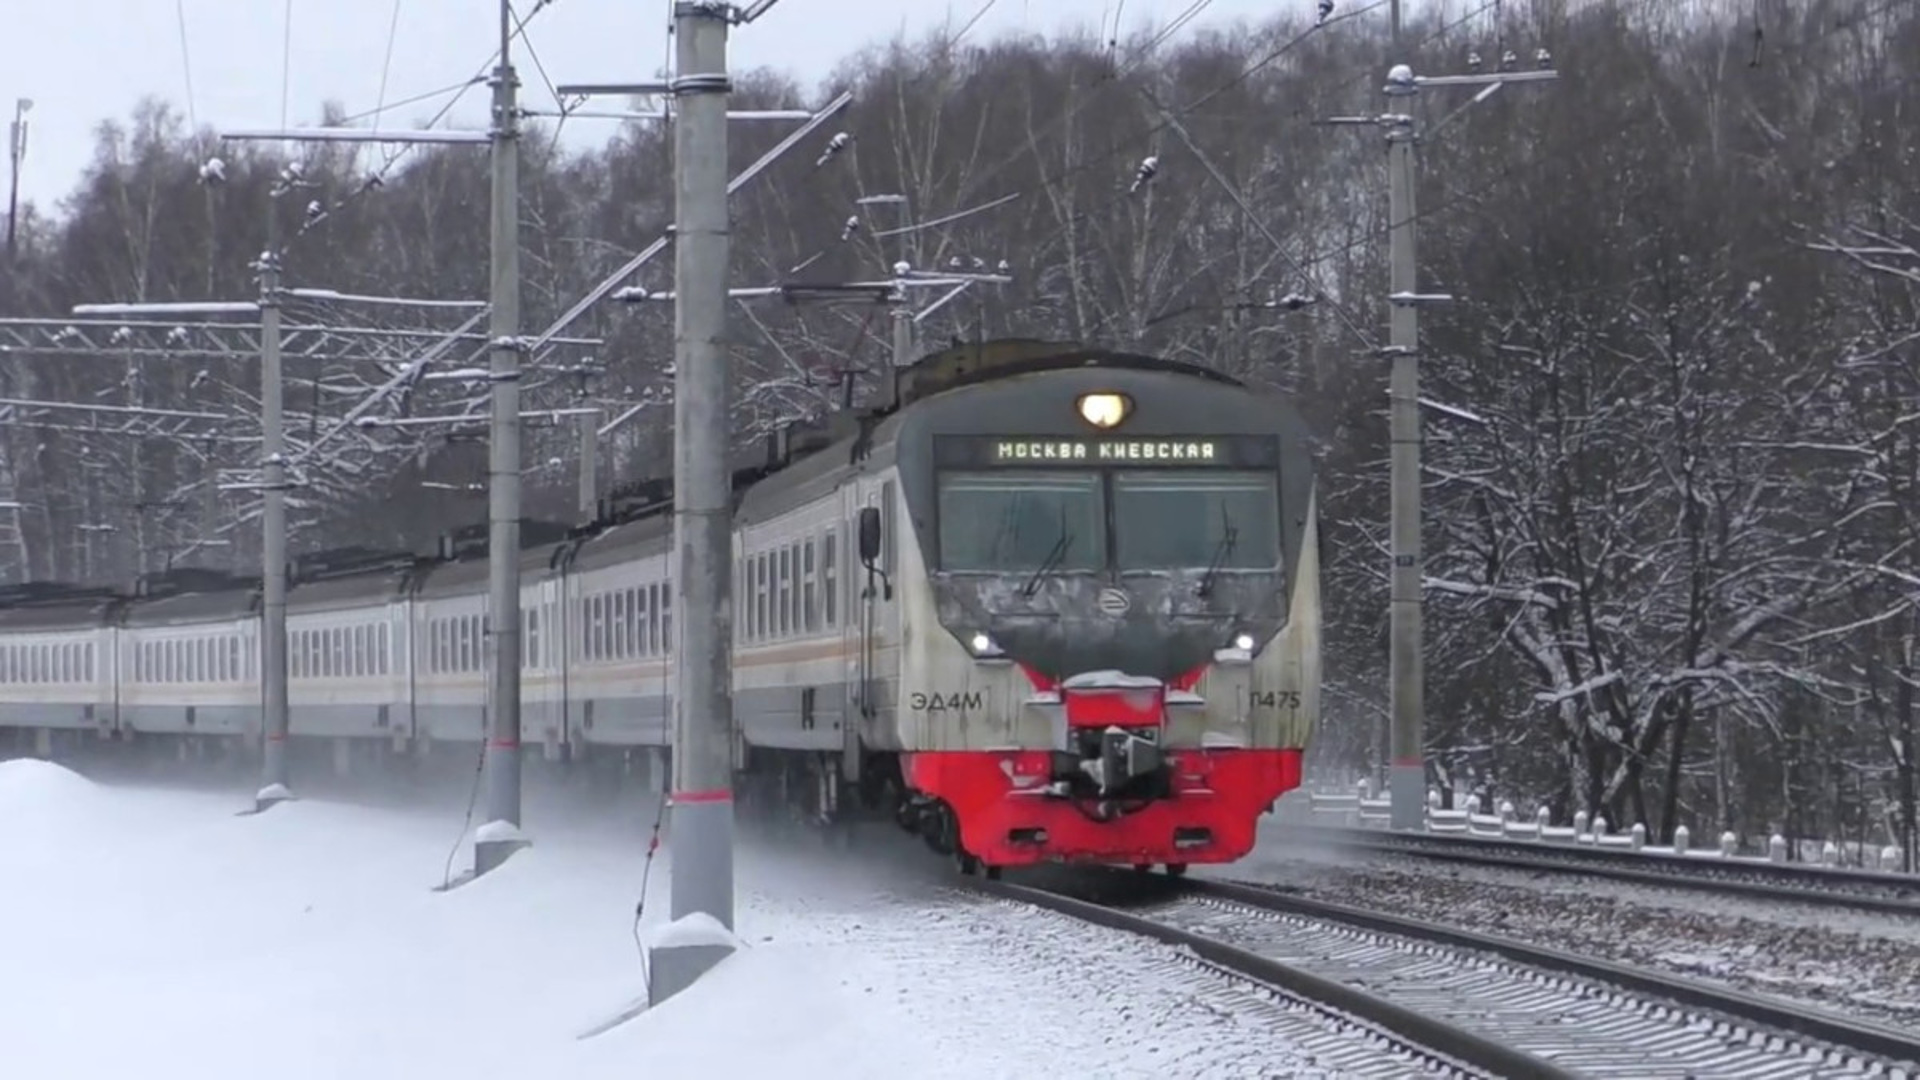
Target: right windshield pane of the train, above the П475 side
[1189, 518]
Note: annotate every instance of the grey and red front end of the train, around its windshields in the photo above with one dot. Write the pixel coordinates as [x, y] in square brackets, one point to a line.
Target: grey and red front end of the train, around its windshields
[1011, 766]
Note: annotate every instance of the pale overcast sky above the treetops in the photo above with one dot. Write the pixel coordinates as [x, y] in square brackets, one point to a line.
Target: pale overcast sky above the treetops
[91, 61]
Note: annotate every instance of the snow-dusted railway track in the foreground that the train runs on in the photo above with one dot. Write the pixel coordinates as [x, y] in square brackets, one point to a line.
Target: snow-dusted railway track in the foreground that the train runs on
[1499, 1008]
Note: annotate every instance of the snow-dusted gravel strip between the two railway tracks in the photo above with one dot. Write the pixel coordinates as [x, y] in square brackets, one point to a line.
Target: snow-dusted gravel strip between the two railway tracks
[1848, 962]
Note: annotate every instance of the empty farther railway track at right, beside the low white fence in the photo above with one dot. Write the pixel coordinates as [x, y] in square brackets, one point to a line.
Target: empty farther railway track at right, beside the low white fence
[1831, 887]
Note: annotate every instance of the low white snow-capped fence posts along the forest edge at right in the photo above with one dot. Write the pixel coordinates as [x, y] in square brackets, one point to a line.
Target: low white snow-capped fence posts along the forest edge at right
[1360, 808]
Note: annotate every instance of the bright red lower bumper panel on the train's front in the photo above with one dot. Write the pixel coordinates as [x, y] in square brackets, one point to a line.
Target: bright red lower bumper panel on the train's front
[999, 804]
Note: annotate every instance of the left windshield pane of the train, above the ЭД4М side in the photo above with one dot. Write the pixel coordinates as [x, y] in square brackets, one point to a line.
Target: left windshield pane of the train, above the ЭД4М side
[1020, 522]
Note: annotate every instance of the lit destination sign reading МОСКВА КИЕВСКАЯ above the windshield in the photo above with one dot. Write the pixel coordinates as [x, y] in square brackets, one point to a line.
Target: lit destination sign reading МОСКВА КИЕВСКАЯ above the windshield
[1099, 453]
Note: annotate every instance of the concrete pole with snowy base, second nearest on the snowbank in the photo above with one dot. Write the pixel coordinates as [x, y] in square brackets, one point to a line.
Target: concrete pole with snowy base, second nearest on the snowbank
[504, 476]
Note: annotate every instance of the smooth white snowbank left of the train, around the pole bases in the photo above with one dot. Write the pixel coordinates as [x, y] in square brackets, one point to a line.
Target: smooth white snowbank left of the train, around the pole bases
[156, 935]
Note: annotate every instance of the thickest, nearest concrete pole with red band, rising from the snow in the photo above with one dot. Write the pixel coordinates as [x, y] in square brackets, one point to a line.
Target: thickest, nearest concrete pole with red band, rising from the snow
[704, 510]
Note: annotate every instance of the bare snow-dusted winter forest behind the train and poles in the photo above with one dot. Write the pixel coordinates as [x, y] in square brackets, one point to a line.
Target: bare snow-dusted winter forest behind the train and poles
[1671, 414]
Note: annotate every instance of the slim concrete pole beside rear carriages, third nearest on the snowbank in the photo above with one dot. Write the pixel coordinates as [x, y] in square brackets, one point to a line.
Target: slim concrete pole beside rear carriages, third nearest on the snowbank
[276, 729]
